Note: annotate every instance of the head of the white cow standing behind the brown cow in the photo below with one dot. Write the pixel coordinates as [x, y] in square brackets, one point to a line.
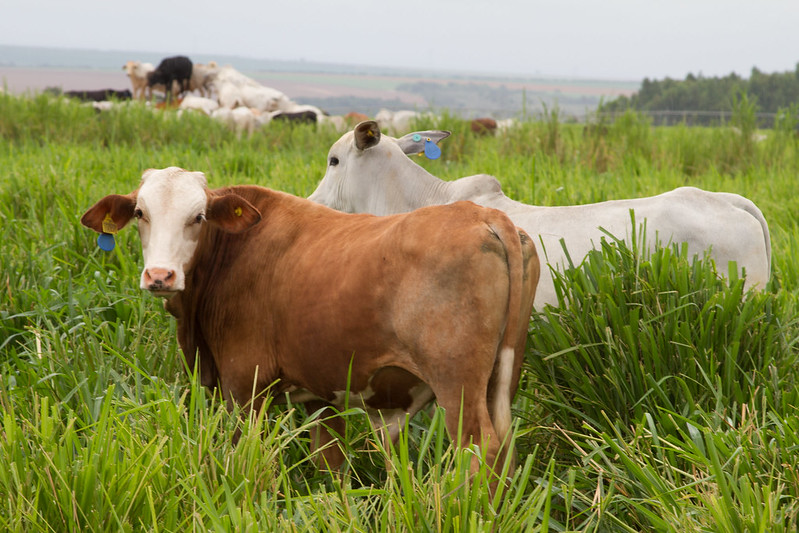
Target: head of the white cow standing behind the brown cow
[368, 172]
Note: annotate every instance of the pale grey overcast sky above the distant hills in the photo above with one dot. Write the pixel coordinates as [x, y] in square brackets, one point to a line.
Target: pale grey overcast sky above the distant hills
[609, 39]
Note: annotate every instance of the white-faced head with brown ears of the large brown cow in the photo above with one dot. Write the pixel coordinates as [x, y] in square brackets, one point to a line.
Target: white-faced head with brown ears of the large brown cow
[171, 206]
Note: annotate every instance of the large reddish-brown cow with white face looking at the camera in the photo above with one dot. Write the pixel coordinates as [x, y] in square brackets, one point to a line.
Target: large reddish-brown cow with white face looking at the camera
[277, 294]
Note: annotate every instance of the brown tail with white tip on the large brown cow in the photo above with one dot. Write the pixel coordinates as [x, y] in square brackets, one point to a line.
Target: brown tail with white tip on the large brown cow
[523, 275]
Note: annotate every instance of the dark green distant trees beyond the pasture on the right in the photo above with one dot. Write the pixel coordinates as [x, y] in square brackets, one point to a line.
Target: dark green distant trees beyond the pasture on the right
[771, 92]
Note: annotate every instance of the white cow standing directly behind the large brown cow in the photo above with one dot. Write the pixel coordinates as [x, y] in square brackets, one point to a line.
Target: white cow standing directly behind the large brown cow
[368, 172]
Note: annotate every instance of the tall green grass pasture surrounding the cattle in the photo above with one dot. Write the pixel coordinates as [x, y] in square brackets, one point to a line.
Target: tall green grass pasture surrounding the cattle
[656, 398]
